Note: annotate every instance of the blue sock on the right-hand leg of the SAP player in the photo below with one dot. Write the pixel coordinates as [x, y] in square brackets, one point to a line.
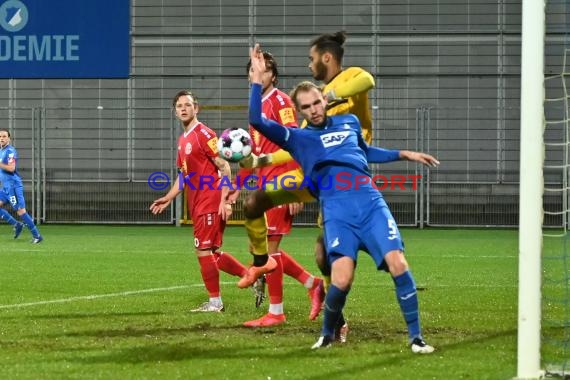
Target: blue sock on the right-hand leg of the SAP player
[408, 299]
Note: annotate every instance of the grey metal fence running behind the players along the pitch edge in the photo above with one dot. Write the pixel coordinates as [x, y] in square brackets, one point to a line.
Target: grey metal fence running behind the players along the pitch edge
[85, 165]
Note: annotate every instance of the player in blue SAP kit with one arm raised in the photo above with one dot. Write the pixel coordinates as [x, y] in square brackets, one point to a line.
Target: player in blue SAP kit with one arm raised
[334, 159]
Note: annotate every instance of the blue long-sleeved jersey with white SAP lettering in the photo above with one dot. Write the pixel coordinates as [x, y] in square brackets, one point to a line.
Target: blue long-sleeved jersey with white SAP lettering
[328, 154]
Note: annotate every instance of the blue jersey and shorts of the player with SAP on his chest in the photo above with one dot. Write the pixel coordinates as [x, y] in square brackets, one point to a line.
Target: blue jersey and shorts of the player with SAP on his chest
[355, 214]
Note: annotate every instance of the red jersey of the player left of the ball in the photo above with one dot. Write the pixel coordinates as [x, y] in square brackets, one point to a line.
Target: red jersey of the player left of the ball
[197, 149]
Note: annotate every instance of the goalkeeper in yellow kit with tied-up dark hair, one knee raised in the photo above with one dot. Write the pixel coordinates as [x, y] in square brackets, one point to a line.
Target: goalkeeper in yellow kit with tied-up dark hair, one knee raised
[346, 92]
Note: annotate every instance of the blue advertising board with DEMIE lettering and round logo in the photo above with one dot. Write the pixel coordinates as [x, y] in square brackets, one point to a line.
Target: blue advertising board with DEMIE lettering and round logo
[64, 38]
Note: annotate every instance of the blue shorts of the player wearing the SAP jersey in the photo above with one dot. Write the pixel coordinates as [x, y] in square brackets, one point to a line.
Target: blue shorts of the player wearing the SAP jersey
[361, 222]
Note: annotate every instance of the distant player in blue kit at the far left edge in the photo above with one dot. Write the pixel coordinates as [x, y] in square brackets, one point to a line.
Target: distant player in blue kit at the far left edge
[13, 190]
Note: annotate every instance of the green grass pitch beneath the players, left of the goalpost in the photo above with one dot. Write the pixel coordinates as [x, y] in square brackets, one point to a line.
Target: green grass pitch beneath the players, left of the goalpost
[112, 302]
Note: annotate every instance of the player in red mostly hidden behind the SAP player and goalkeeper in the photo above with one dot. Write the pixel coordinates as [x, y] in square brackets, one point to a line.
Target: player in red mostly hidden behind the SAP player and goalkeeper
[276, 105]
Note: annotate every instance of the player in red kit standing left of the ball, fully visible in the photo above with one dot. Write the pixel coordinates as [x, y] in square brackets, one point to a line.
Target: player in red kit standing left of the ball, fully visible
[202, 170]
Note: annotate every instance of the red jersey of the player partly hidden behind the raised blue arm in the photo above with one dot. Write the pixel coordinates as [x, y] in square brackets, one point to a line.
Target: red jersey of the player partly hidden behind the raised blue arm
[275, 106]
